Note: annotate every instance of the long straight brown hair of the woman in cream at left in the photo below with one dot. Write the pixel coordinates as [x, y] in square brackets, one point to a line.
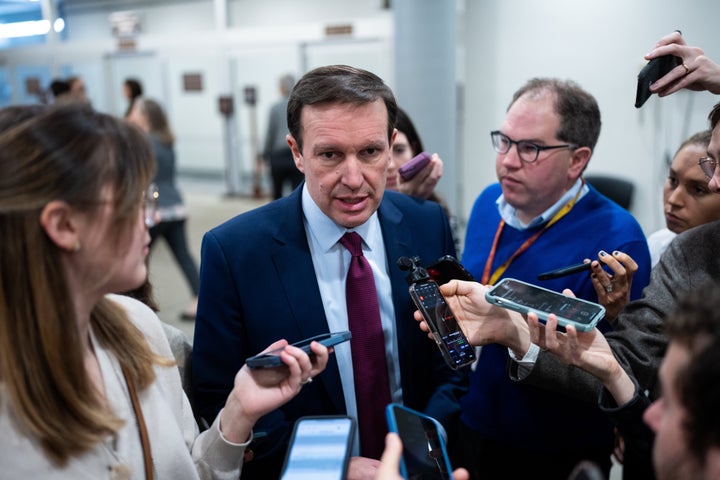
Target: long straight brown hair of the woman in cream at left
[69, 153]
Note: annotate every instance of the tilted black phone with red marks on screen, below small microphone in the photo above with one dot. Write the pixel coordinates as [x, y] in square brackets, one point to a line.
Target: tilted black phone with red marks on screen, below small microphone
[449, 337]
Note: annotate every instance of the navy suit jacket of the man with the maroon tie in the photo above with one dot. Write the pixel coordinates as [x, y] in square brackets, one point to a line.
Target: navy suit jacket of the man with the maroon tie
[258, 285]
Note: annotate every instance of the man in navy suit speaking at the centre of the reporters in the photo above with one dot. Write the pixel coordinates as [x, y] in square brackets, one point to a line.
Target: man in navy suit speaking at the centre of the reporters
[279, 271]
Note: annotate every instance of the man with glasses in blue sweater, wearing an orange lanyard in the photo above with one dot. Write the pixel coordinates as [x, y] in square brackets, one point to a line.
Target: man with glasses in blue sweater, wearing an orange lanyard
[541, 216]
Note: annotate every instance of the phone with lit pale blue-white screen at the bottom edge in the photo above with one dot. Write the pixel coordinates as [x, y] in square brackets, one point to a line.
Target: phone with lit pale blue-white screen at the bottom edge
[319, 448]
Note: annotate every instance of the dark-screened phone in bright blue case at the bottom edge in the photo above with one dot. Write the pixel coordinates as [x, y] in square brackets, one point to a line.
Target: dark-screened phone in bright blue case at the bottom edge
[424, 452]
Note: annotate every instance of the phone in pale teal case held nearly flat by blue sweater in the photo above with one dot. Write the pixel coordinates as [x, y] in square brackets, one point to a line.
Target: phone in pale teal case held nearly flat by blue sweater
[525, 298]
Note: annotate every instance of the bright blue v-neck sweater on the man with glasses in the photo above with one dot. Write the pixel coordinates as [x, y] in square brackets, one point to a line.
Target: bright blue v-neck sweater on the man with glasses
[522, 415]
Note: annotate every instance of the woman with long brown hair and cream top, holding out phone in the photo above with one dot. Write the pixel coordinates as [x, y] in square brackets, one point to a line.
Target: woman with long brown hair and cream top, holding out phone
[87, 385]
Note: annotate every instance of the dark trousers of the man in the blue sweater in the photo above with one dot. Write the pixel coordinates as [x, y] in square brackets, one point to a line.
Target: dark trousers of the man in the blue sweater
[486, 459]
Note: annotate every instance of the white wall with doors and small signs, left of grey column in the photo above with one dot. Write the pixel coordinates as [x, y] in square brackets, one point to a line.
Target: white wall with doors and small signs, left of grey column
[261, 42]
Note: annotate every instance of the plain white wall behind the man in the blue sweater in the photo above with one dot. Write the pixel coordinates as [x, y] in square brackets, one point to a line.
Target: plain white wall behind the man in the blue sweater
[599, 45]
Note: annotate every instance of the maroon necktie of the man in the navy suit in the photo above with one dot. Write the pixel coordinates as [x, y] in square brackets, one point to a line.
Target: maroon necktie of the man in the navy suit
[372, 388]
